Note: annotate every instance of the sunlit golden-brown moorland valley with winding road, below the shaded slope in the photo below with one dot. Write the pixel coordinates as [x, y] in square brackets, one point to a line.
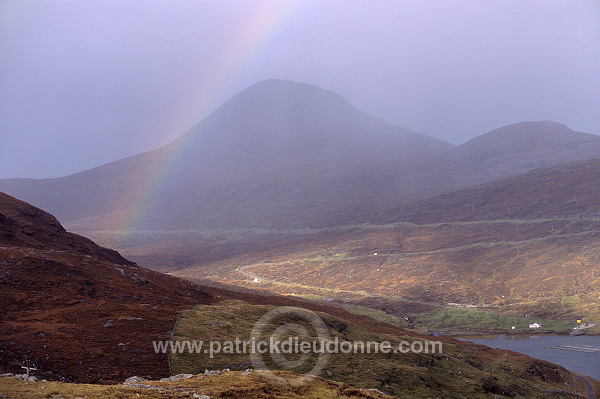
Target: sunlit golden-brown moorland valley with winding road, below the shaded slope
[535, 272]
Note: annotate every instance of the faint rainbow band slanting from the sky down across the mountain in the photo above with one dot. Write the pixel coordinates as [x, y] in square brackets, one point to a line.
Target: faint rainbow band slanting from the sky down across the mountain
[257, 29]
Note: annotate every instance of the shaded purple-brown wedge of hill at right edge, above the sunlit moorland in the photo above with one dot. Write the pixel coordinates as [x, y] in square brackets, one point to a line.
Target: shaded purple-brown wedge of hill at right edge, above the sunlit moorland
[569, 191]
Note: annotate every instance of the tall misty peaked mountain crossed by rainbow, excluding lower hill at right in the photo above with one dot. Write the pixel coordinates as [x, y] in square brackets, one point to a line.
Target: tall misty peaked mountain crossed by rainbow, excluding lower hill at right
[280, 154]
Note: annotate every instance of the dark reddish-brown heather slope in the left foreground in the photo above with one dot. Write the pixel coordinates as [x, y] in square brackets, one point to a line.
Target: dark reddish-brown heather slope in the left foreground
[77, 311]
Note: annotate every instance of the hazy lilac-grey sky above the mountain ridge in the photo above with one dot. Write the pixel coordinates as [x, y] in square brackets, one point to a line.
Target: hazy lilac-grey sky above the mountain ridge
[88, 82]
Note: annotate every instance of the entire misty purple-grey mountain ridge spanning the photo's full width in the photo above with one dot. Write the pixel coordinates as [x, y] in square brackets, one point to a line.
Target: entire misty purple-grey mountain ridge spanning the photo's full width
[287, 155]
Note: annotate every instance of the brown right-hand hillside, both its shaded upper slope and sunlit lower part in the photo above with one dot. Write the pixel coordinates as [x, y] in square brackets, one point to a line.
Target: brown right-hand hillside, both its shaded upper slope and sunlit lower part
[525, 245]
